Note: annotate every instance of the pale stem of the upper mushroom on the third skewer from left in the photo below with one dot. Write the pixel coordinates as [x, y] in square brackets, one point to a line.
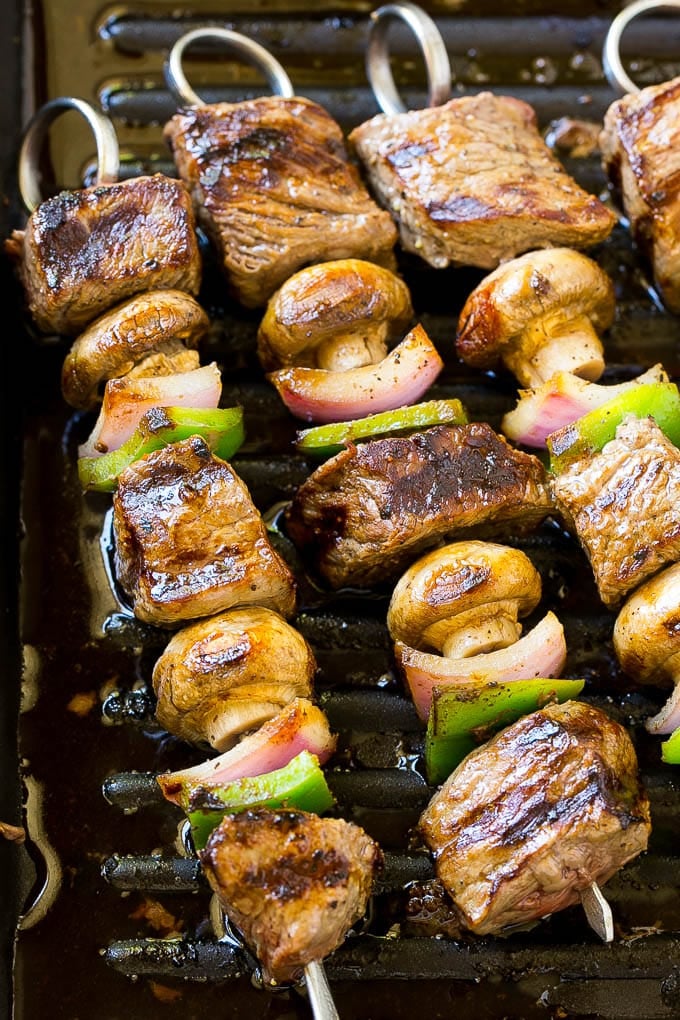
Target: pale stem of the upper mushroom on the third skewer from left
[551, 346]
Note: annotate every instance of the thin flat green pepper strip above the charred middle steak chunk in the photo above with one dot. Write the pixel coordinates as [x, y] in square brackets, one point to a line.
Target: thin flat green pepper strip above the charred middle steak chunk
[325, 441]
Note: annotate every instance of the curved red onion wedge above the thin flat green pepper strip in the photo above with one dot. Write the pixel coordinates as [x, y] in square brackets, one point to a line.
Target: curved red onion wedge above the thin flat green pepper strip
[400, 380]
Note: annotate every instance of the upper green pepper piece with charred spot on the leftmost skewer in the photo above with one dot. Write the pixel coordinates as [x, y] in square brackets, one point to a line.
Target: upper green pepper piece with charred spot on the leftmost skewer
[223, 429]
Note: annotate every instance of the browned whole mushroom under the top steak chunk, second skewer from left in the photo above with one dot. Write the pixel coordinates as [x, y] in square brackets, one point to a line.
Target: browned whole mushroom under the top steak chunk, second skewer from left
[335, 316]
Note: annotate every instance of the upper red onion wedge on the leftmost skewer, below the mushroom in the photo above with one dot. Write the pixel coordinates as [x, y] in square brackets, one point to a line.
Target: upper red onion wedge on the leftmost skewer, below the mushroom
[126, 400]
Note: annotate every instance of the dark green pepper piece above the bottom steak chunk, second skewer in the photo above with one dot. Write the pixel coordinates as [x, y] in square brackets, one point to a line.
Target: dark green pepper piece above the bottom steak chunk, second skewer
[463, 718]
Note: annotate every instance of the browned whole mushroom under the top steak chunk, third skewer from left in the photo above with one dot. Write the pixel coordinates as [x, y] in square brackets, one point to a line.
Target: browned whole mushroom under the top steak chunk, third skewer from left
[540, 315]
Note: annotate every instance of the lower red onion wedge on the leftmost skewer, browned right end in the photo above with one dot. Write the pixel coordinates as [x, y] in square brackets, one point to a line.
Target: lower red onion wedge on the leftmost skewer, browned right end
[300, 727]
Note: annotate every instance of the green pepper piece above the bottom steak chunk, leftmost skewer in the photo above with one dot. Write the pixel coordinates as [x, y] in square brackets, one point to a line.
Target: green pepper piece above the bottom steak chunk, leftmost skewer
[300, 785]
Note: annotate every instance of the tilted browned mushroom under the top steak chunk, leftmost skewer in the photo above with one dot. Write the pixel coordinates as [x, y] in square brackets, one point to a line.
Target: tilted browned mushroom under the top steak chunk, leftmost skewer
[158, 324]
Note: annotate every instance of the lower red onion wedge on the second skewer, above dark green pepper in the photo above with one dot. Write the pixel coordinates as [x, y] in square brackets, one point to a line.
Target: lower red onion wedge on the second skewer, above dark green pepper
[543, 652]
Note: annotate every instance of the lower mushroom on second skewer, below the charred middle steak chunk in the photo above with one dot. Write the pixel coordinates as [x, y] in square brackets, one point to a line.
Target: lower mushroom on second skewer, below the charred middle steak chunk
[464, 599]
